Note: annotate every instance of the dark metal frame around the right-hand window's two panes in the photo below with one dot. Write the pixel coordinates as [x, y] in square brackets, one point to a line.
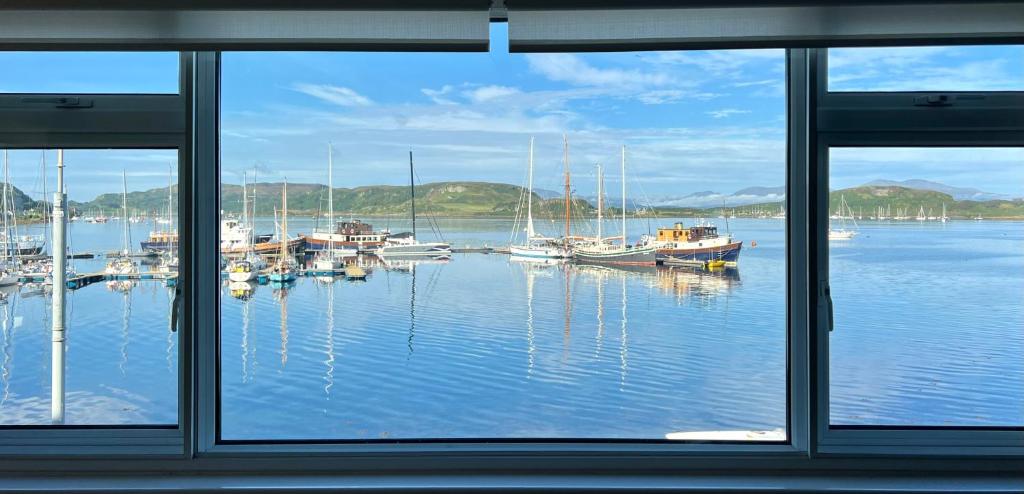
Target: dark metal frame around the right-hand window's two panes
[889, 120]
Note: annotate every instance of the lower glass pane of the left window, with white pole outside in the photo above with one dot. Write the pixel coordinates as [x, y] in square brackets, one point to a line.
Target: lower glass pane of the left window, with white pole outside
[120, 354]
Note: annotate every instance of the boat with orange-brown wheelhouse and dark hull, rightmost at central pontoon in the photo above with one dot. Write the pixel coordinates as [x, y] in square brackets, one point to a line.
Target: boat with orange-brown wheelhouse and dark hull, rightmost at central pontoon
[701, 244]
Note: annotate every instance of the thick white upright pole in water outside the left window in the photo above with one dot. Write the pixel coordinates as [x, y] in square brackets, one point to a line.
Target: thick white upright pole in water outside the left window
[60, 285]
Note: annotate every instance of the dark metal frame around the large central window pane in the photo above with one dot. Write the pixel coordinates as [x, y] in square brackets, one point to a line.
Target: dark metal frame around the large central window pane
[208, 443]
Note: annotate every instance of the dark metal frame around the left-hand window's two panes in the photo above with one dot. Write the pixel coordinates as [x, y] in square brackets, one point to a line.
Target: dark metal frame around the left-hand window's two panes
[110, 121]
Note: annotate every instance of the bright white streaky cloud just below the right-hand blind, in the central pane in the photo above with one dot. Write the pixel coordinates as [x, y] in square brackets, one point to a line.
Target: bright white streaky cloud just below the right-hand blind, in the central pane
[574, 70]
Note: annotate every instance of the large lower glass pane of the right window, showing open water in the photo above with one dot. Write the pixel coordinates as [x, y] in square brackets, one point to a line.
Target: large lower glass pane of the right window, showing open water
[926, 265]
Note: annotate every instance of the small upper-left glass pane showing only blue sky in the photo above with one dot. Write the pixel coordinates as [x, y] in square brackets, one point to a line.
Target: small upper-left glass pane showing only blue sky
[104, 72]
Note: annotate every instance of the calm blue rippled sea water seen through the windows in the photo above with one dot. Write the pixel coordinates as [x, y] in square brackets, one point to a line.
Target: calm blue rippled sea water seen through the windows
[929, 332]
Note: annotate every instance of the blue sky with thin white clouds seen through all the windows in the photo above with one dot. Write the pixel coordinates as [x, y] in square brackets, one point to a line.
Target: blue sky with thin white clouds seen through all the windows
[692, 121]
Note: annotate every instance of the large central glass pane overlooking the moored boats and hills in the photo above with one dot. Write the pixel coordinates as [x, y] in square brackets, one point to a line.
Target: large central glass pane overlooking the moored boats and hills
[445, 335]
